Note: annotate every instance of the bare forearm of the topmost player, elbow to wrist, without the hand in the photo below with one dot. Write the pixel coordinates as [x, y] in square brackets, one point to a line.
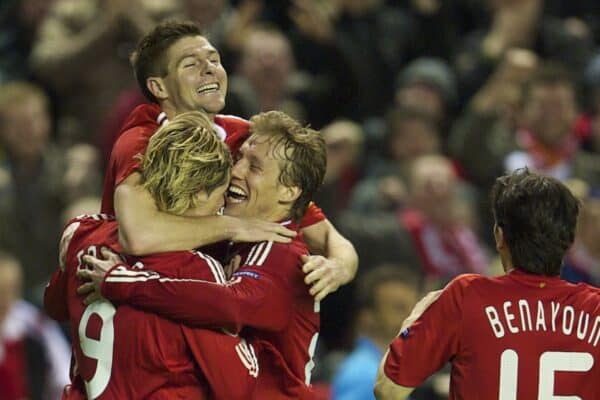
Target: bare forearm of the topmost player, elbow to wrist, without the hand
[143, 229]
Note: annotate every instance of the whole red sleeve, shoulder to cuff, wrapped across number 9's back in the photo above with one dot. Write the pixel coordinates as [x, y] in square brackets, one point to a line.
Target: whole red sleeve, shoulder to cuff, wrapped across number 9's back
[258, 295]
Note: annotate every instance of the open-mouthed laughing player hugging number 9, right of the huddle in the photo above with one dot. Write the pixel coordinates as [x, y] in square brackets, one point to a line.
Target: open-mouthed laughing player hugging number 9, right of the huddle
[280, 167]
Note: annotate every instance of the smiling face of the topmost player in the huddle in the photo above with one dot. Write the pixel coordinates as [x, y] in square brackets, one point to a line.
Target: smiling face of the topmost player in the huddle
[195, 78]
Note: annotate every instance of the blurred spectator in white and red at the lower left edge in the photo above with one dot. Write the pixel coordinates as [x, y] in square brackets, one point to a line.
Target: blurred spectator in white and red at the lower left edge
[34, 355]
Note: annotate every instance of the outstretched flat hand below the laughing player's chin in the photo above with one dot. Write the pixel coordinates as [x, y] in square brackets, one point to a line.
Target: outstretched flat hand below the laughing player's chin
[254, 230]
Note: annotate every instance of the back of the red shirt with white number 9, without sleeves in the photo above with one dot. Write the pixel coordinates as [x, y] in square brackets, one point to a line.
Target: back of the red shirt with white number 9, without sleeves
[123, 353]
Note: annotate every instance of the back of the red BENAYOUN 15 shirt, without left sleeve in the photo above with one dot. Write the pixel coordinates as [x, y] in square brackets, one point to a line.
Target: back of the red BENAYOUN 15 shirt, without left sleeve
[527, 337]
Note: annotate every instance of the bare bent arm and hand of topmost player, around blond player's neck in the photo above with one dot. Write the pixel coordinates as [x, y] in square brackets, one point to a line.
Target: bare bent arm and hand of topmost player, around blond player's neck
[143, 229]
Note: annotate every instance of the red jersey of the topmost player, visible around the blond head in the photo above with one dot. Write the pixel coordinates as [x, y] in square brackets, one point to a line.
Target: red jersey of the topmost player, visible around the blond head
[141, 124]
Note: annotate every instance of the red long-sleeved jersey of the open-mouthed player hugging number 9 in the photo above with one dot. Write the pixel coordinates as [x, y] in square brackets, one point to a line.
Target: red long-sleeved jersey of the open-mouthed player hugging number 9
[267, 295]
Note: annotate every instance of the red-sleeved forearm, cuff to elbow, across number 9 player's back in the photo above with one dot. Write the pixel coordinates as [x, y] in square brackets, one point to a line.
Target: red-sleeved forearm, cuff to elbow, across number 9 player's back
[197, 303]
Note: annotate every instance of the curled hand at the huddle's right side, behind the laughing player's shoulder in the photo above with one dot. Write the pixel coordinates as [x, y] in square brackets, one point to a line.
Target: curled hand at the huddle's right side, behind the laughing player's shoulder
[324, 275]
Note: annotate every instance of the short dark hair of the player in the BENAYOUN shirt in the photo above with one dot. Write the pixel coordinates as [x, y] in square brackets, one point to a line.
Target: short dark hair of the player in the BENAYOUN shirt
[538, 217]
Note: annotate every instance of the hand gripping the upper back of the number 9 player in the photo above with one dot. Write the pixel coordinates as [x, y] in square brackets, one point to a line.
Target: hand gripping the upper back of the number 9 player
[91, 289]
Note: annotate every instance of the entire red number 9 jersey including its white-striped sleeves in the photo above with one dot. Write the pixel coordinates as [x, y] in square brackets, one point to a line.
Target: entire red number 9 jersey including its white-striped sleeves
[125, 353]
